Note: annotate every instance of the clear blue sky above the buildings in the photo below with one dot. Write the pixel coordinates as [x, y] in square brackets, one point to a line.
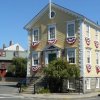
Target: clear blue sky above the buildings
[15, 14]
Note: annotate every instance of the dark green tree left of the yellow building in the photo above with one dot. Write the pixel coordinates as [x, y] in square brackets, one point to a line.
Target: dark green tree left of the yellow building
[20, 66]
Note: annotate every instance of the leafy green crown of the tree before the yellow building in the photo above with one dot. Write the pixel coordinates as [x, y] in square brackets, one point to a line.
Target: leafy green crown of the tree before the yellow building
[60, 68]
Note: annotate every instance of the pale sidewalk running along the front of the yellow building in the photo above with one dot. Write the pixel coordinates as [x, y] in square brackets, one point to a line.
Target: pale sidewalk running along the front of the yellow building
[62, 96]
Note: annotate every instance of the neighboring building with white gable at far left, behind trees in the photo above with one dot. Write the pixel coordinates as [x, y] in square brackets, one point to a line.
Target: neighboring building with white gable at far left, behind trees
[7, 54]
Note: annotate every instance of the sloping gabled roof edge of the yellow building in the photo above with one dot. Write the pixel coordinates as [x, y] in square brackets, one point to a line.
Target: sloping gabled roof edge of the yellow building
[80, 17]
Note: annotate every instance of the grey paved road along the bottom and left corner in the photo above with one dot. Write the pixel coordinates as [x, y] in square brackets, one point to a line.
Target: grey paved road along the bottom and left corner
[9, 91]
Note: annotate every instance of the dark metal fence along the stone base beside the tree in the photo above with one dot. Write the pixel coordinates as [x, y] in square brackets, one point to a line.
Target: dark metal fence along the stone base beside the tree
[69, 85]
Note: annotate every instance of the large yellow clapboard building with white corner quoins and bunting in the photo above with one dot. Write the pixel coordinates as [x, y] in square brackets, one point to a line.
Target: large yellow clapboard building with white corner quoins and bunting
[65, 34]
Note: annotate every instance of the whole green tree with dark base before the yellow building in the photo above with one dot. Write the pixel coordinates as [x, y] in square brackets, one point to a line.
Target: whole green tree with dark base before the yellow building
[57, 70]
